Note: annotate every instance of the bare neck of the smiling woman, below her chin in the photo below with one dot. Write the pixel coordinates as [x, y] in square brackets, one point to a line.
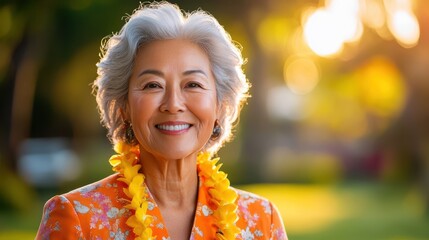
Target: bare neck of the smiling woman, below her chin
[172, 183]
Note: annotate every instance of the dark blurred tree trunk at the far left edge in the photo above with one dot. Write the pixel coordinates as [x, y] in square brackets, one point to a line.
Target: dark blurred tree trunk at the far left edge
[26, 40]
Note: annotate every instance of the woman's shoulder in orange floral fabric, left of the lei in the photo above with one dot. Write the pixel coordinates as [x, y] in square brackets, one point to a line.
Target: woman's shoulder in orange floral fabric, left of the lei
[95, 209]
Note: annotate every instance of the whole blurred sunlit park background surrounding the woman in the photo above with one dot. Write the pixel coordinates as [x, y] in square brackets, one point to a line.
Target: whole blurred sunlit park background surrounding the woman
[336, 132]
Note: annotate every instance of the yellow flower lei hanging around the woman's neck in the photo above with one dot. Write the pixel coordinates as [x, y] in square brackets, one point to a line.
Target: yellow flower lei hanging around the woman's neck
[126, 163]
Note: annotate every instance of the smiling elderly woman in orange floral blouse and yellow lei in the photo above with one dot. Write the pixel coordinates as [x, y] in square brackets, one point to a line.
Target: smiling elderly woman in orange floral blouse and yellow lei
[170, 86]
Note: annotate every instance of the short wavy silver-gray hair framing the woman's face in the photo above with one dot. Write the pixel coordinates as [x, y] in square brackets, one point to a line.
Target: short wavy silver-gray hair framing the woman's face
[162, 21]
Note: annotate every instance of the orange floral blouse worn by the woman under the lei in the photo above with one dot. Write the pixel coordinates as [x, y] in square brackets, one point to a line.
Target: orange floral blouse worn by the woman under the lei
[96, 211]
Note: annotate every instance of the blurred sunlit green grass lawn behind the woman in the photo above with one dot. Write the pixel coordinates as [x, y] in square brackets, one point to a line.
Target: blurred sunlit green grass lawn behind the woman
[347, 211]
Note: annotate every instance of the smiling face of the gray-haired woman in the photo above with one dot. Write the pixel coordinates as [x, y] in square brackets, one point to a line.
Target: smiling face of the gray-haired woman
[172, 98]
